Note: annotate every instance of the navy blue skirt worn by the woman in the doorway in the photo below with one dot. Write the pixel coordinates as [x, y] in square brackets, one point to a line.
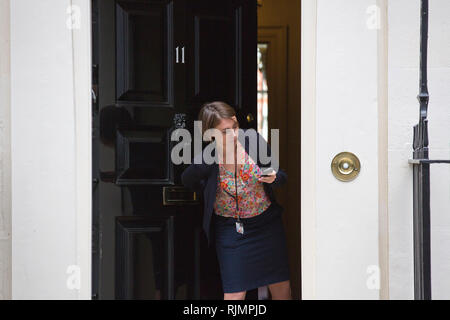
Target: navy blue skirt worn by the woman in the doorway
[256, 258]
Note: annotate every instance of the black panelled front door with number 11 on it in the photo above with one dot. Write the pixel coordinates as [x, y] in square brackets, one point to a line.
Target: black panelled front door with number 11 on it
[154, 63]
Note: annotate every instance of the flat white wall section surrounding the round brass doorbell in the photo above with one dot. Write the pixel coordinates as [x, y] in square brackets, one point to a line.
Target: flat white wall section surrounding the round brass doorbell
[344, 215]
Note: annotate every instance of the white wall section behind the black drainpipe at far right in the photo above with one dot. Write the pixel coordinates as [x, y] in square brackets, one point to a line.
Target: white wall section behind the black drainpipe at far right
[403, 114]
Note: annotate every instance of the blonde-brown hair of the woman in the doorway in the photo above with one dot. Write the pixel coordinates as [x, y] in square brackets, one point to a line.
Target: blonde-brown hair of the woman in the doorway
[212, 112]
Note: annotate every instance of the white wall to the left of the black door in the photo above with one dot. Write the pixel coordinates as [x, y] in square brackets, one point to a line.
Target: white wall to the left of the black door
[50, 149]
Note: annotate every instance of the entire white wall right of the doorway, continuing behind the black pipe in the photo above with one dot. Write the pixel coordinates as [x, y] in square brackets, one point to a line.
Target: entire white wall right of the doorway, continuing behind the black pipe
[340, 106]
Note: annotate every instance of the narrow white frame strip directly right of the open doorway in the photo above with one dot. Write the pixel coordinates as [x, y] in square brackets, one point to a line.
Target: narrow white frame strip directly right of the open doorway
[308, 147]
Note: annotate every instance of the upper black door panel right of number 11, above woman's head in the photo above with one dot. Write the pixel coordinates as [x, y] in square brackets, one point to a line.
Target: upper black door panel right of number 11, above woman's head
[212, 61]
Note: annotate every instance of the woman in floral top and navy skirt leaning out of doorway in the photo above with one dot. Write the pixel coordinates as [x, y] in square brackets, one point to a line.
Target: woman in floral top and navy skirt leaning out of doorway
[248, 229]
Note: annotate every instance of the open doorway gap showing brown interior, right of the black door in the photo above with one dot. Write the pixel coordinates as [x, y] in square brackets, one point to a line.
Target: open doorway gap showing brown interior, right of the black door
[279, 108]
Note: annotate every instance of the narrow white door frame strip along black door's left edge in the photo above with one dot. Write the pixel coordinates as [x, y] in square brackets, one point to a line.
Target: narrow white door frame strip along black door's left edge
[81, 39]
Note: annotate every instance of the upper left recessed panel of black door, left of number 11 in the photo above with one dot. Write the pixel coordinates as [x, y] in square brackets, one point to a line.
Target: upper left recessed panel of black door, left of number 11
[144, 47]
